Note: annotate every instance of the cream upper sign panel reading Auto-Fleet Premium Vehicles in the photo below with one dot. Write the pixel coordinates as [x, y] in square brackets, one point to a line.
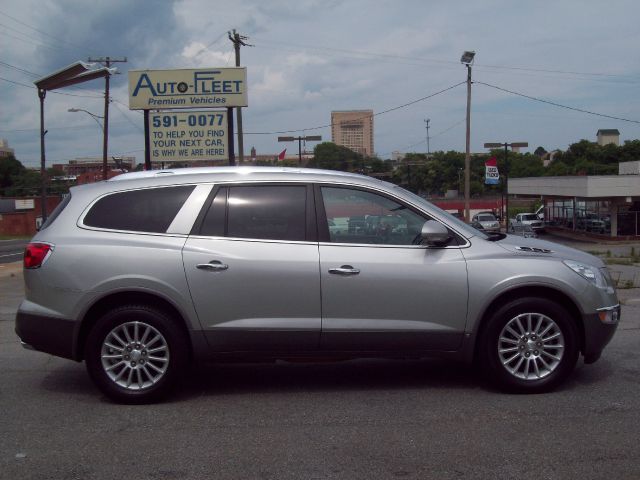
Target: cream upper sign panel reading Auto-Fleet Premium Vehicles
[187, 88]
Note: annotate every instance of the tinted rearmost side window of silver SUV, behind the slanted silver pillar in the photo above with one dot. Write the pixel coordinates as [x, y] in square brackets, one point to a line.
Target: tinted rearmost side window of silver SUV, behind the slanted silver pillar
[151, 210]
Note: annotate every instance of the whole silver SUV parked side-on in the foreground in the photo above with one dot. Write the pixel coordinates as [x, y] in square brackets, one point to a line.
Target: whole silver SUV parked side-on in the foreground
[141, 274]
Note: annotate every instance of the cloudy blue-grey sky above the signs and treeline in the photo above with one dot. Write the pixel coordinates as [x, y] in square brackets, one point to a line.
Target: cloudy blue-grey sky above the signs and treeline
[309, 57]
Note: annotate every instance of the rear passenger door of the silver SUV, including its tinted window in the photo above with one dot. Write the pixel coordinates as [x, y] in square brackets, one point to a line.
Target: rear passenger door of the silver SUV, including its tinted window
[252, 268]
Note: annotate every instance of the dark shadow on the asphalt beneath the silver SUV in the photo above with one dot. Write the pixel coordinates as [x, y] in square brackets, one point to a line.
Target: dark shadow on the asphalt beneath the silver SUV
[229, 379]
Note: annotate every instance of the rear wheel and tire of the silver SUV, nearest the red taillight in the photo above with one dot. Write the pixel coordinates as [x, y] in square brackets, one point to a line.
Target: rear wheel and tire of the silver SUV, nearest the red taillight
[135, 354]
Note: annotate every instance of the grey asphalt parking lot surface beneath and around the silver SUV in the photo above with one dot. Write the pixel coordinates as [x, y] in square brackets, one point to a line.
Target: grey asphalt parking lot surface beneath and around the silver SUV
[358, 419]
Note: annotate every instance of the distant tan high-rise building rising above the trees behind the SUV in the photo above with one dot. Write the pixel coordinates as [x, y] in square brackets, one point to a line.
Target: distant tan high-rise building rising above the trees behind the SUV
[353, 129]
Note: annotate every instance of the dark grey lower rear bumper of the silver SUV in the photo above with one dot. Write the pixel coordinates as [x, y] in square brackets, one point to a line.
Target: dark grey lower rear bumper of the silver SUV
[46, 334]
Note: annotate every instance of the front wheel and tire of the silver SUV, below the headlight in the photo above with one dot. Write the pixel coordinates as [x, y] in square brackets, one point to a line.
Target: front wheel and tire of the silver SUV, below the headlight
[529, 345]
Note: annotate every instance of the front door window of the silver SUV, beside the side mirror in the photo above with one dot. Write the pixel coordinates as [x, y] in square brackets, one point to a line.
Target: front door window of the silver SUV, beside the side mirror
[357, 216]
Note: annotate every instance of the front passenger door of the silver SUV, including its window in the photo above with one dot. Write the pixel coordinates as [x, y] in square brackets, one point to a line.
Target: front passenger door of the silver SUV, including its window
[381, 290]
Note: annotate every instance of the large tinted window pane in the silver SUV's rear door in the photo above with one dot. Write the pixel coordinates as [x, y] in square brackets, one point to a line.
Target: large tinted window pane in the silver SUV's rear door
[267, 212]
